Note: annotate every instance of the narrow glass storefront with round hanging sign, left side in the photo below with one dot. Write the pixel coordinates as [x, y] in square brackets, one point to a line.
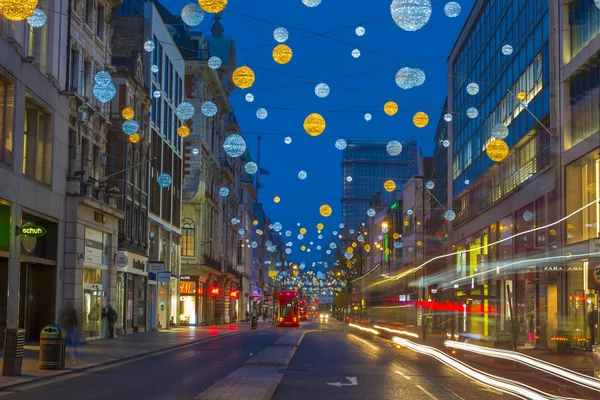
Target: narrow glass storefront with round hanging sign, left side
[132, 286]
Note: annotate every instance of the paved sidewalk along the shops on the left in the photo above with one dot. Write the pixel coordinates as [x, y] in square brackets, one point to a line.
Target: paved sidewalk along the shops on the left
[99, 352]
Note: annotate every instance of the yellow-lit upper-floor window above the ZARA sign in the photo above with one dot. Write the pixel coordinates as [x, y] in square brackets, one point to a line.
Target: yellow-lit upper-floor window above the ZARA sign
[583, 188]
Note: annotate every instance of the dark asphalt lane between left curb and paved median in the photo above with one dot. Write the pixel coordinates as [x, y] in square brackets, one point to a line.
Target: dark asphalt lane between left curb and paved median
[178, 374]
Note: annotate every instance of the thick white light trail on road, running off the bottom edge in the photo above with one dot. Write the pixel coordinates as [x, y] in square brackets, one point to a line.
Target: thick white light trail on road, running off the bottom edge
[508, 386]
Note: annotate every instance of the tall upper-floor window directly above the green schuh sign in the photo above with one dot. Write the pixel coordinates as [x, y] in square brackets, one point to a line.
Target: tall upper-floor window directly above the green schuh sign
[37, 142]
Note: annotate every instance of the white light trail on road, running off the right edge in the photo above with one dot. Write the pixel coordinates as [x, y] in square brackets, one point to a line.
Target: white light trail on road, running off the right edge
[564, 373]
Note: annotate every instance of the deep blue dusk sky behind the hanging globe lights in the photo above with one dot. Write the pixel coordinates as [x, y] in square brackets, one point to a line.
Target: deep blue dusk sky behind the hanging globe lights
[322, 39]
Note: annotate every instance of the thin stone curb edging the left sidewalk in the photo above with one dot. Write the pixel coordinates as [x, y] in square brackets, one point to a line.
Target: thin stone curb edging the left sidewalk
[11, 387]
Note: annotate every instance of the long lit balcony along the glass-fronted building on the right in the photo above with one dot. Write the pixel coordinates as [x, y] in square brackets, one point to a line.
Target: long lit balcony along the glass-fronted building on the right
[536, 165]
